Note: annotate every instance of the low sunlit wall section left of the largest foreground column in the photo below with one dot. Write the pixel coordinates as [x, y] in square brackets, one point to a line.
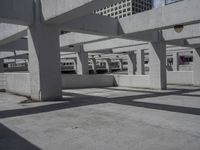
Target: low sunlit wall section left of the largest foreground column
[18, 83]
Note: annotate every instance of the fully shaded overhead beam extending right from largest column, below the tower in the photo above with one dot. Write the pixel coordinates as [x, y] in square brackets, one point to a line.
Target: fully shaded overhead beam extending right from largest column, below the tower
[93, 24]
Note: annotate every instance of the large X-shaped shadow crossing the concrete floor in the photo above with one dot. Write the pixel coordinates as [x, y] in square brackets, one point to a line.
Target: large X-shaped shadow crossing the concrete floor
[80, 100]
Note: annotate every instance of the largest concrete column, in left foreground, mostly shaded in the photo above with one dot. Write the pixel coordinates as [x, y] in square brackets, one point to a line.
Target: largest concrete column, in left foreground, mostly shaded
[44, 60]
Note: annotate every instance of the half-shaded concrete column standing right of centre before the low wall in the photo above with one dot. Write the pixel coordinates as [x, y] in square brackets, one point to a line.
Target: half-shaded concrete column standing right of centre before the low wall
[158, 77]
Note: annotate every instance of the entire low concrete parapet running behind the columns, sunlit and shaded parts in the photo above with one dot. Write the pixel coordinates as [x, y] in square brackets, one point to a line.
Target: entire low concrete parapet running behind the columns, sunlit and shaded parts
[19, 83]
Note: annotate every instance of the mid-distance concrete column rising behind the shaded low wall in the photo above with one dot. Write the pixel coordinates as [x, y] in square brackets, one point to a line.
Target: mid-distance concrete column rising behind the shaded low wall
[82, 61]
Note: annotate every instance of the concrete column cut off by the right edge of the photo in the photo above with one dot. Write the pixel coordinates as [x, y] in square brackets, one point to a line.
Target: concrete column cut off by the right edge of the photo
[196, 67]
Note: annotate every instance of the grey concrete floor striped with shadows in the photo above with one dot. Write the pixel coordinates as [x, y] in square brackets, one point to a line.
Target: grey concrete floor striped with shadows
[104, 119]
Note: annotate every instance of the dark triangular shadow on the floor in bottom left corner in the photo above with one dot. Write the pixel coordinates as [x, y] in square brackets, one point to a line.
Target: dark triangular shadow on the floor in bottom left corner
[10, 140]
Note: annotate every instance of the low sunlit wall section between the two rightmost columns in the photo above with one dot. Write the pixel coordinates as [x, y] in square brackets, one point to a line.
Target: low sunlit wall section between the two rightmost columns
[179, 77]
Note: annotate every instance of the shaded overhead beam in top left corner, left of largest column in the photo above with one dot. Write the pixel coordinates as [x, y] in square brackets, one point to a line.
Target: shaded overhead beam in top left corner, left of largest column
[17, 11]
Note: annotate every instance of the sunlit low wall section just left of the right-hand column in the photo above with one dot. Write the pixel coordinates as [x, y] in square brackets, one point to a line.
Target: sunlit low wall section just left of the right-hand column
[140, 81]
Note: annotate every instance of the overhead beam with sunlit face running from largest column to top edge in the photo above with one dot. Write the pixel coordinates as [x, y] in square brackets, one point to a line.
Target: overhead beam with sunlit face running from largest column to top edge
[60, 11]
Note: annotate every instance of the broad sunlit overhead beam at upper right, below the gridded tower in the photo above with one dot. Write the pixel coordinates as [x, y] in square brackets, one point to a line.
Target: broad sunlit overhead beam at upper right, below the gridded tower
[162, 18]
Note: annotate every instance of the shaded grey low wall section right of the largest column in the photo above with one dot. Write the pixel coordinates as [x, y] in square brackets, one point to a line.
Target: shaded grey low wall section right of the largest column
[87, 81]
